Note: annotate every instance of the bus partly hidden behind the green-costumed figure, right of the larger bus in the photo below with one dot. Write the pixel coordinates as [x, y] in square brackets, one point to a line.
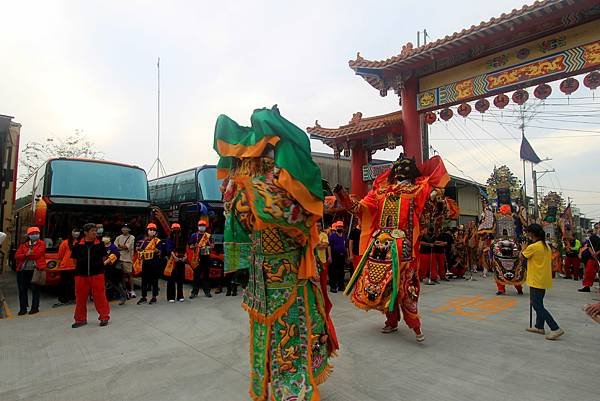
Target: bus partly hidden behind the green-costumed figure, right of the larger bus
[187, 196]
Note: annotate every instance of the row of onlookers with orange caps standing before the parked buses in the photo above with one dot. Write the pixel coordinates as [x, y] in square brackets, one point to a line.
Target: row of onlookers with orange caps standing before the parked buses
[94, 264]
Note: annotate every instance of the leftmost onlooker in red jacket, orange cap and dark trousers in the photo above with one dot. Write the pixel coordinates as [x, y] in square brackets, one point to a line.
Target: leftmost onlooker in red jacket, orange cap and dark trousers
[30, 255]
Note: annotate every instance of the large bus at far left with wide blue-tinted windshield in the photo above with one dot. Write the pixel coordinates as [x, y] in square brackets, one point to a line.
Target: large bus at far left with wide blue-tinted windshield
[65, 193]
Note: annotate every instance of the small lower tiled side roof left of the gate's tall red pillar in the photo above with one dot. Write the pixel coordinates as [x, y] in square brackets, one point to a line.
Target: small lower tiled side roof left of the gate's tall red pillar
[357, 125]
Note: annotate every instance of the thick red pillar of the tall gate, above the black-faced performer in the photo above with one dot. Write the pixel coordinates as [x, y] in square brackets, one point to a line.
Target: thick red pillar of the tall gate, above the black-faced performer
[412, 138]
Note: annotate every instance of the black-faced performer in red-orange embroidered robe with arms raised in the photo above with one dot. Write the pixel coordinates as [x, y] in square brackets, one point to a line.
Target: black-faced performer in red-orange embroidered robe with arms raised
[386, 279]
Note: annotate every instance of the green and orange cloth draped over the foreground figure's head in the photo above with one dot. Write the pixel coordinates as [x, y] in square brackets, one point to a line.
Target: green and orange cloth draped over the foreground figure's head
[298, 174]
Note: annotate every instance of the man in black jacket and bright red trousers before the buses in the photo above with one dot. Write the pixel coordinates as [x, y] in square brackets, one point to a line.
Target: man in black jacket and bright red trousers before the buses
[89, 255]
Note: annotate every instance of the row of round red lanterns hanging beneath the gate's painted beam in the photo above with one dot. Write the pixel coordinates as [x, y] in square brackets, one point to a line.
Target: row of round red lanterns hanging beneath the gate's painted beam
[520, 96]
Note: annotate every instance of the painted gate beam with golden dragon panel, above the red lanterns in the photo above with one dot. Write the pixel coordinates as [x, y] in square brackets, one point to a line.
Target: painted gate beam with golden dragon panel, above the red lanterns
[553, 57]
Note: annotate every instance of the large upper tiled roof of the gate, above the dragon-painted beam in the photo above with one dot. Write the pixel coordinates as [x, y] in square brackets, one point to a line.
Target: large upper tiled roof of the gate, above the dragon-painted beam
[519, 26]
